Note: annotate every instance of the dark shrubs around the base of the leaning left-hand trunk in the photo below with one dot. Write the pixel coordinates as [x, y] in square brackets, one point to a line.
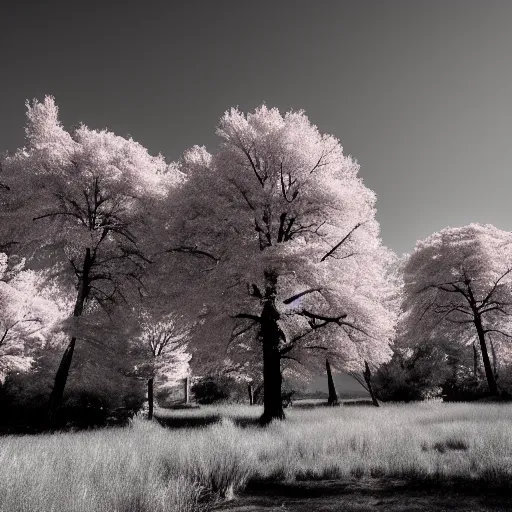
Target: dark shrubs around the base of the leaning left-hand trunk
[95, 394]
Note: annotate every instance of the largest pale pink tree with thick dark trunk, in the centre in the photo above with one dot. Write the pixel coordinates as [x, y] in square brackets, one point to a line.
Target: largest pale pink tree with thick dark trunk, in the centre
[277, 231]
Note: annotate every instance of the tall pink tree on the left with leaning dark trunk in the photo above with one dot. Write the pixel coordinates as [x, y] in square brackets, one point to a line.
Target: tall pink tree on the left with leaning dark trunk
[83, 200]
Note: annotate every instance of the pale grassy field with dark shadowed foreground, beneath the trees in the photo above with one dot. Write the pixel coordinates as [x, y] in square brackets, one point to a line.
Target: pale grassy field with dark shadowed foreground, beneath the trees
[349, 457]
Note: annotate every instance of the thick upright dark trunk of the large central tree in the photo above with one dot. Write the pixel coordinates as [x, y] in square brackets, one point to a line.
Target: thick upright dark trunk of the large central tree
[270, 334]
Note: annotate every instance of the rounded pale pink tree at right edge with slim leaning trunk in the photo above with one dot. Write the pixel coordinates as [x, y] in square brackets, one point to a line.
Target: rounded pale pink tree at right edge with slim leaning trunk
[458, 286]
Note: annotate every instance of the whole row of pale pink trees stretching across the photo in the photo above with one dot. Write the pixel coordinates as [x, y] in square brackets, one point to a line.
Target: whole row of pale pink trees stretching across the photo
[122, 273]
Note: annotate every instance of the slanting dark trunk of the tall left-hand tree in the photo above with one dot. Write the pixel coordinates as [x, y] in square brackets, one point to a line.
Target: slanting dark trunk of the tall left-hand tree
[61, 376]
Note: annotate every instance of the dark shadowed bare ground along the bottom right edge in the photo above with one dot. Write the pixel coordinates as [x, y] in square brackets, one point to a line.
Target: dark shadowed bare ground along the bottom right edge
[363, 496]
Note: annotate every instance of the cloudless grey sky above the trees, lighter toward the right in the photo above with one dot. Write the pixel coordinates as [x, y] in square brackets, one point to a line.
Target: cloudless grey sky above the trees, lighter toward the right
[418, 91]
